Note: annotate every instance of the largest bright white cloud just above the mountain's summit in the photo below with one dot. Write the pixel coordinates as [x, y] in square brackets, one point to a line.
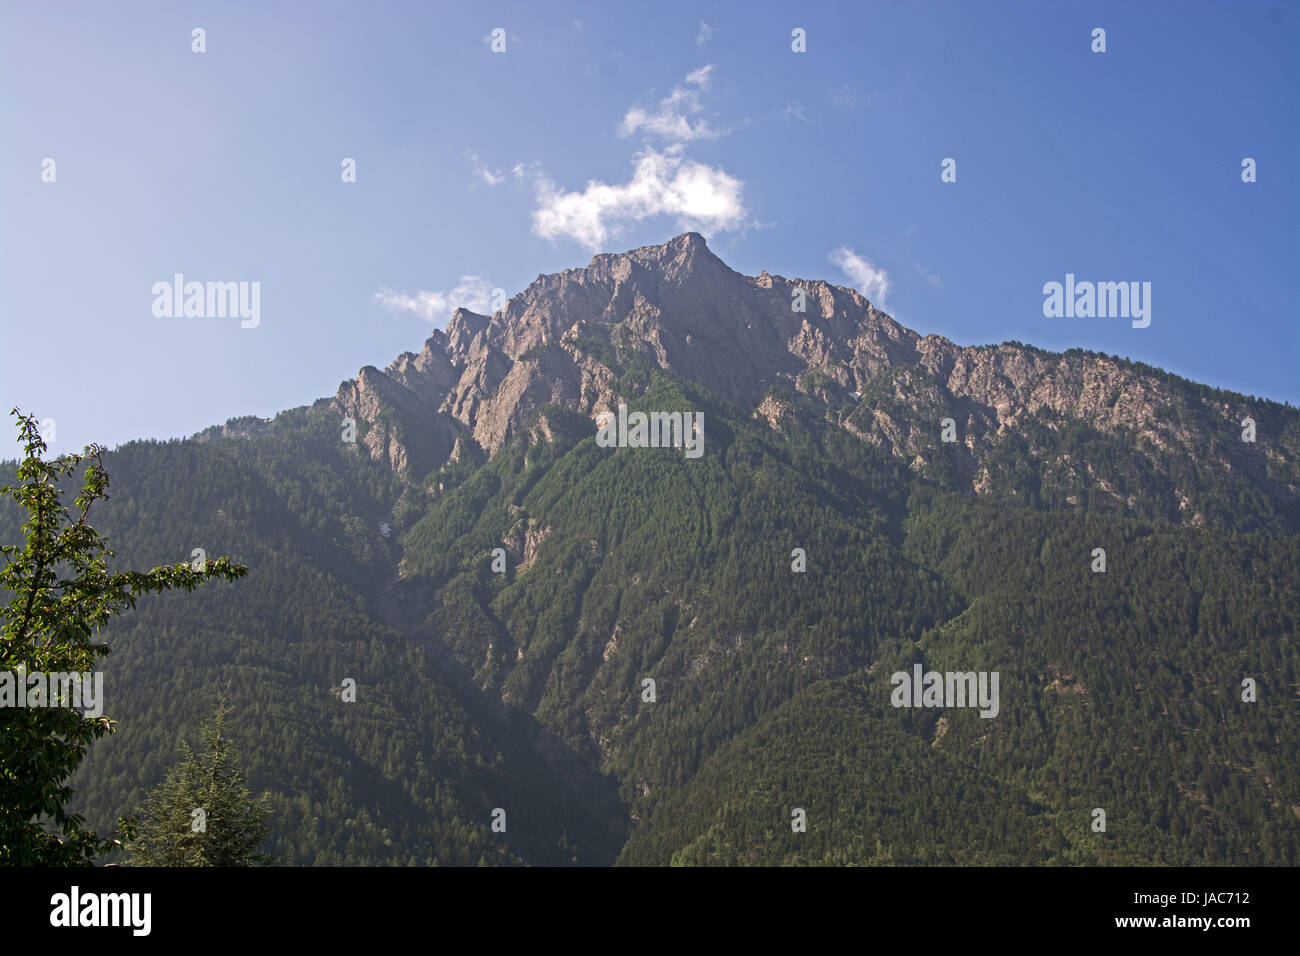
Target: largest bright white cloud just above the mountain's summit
[701, 197]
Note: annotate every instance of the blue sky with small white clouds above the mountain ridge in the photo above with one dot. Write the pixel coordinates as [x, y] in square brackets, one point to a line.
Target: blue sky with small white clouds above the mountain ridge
[613, 126]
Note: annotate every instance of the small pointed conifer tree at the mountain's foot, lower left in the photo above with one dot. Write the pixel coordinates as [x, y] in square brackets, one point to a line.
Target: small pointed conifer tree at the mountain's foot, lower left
[202, 815]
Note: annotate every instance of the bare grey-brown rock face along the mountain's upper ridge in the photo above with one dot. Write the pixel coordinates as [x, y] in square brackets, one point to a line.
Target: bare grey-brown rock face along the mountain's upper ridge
[687, 313]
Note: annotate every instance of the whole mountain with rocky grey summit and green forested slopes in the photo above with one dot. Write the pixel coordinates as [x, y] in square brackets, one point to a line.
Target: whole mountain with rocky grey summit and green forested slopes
[826, 540]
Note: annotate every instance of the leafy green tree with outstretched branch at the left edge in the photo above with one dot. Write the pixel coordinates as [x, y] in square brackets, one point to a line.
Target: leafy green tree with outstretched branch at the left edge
[60, 596]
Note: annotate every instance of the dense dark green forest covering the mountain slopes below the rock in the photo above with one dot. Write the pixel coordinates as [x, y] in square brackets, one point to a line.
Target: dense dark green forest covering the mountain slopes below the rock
[525, 691]
